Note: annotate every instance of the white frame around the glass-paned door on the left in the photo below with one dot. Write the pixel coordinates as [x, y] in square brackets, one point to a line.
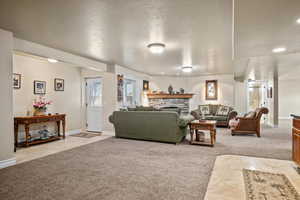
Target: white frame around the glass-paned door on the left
[85, 101]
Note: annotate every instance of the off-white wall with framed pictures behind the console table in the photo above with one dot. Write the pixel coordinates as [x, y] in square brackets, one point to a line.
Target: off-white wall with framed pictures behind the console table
[67, 101]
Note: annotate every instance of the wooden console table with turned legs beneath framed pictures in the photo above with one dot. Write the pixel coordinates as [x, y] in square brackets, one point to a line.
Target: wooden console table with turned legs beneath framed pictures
[27, 121]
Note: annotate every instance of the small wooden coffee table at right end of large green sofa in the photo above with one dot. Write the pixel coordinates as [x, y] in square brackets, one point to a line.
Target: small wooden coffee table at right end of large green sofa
[197, 126]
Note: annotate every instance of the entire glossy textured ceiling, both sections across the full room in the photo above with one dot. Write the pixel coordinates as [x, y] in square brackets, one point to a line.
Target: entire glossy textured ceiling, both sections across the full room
[197, 32]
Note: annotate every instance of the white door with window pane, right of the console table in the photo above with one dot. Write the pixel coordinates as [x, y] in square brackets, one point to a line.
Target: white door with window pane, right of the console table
[94, 108]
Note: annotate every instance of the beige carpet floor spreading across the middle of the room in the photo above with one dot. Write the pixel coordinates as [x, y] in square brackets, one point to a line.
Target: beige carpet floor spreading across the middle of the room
[115, 169]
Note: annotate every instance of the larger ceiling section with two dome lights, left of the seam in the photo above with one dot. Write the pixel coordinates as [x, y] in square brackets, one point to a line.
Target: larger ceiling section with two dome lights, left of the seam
[196, 32]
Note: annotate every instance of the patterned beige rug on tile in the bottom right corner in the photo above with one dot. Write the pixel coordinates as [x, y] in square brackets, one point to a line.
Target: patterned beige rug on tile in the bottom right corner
[268, 186]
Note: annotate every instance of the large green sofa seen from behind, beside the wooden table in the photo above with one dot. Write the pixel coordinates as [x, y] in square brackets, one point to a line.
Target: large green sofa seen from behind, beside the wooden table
[162, 126]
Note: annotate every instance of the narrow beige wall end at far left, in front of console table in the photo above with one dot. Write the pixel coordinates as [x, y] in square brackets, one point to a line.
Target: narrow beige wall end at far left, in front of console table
[6, 106]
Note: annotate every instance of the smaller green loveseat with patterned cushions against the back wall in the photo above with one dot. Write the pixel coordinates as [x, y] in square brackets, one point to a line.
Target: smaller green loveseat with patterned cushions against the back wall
[213, 112]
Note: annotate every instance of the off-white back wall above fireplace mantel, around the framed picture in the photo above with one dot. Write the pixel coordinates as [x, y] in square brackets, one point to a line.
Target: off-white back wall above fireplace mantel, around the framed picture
[196, 85]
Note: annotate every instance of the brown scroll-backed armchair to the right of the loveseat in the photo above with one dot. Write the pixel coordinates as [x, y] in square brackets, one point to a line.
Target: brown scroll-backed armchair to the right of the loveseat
[250, 125]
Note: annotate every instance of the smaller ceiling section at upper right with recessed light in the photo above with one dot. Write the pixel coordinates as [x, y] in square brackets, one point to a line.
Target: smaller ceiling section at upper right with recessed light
[260, 26]
